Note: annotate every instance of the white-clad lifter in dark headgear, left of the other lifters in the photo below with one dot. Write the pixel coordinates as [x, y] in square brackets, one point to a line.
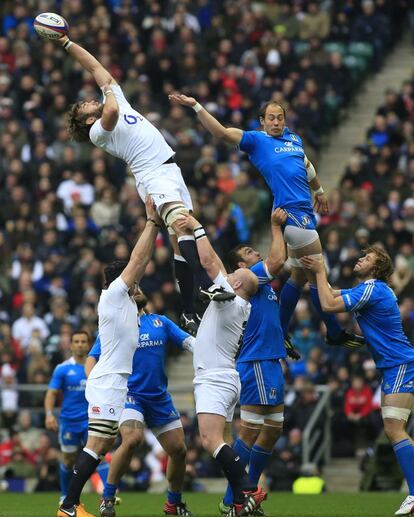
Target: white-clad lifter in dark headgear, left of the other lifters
[106, 387]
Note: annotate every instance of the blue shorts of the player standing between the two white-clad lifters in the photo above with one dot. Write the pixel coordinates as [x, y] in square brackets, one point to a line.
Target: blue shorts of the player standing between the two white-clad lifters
[157, 412]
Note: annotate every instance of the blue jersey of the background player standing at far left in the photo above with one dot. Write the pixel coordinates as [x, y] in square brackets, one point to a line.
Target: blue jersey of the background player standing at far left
[70, 378]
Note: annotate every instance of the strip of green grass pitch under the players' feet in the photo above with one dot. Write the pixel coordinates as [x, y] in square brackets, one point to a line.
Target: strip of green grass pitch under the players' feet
[205, 505]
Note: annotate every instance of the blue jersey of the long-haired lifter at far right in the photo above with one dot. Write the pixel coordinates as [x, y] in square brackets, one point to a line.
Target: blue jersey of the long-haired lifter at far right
[376, 310]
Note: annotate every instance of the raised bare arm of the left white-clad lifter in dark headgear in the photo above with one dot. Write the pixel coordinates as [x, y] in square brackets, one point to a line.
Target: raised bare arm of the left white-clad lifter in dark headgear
[142, 252]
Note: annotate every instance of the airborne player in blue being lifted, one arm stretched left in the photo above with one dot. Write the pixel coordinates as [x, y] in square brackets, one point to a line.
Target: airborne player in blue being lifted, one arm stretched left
[278, 154]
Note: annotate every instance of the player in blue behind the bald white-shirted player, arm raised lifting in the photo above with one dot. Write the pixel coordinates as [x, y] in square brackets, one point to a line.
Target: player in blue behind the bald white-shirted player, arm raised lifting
[258, 362]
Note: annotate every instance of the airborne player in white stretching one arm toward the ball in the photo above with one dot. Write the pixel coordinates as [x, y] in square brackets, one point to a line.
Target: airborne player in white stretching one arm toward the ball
[115, 126]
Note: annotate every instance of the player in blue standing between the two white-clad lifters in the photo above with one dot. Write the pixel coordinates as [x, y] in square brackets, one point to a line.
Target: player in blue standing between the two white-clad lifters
[148, 401]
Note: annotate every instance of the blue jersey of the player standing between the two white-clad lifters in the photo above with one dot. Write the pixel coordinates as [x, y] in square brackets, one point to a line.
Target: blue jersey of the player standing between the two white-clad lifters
[148, 377]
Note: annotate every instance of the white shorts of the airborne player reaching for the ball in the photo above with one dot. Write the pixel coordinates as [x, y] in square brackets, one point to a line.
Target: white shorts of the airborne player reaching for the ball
[164, 184]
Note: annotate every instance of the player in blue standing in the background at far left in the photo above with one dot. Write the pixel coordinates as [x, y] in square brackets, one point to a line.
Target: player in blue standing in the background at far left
[70, 379]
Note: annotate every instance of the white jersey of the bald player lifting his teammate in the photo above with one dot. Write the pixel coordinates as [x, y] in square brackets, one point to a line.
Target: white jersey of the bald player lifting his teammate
[218, 335]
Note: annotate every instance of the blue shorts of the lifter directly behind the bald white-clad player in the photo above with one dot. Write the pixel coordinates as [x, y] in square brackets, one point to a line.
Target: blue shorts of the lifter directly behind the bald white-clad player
[262, 383]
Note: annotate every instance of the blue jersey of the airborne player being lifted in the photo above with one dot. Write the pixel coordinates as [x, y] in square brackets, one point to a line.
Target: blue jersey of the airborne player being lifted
[280, 160]
